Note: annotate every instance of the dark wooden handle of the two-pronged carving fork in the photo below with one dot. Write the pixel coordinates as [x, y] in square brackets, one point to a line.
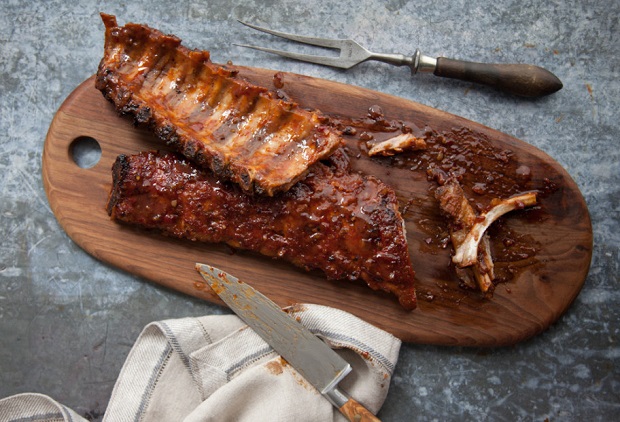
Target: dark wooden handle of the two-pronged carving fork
[520, 79]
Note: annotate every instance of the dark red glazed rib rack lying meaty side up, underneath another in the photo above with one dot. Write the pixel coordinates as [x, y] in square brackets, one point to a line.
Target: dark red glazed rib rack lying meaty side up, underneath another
[343, 223]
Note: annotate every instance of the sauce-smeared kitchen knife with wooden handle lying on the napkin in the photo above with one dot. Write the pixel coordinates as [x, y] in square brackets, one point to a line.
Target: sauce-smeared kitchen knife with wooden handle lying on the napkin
[309, 355]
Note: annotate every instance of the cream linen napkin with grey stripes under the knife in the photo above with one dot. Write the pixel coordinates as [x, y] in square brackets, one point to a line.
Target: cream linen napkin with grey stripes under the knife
[215, 368]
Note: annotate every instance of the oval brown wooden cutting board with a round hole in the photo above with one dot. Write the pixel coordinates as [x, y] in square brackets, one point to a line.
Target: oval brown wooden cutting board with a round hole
[543, 286]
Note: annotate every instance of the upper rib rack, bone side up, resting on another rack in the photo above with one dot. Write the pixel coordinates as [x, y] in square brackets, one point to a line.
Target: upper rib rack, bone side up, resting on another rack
[240, 131]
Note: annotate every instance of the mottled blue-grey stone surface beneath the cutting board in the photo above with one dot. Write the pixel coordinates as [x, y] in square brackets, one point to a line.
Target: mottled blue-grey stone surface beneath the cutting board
[67, 321]
